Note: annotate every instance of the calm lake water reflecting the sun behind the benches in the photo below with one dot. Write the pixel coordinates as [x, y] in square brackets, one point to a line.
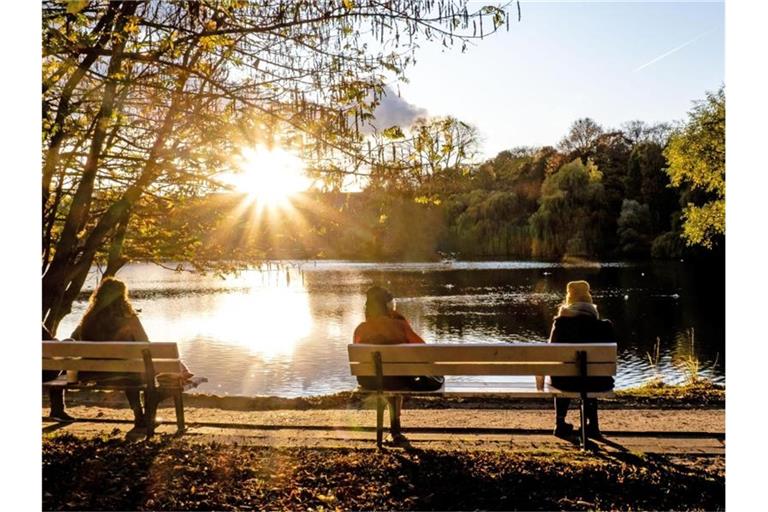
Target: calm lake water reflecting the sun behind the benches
[284, 330]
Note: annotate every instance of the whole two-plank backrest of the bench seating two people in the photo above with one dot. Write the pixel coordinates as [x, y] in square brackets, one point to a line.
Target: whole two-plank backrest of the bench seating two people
[557, 359]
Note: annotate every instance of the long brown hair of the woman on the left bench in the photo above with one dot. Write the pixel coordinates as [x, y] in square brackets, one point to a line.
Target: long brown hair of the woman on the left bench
[107, 309]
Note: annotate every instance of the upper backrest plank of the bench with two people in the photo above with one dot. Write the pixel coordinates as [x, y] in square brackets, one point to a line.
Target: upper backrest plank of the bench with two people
[413, 353]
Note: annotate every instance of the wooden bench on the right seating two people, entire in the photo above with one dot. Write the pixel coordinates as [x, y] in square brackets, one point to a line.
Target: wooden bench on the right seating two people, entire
[498, 359]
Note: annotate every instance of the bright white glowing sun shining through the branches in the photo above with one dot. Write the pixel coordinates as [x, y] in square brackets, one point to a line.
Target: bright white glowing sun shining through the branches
[270, 176]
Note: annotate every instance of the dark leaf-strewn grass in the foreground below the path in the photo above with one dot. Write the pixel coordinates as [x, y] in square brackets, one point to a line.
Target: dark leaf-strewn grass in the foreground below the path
[168, 473]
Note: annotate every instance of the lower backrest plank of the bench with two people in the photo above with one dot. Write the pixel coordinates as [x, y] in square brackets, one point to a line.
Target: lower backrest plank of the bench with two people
[526, 368]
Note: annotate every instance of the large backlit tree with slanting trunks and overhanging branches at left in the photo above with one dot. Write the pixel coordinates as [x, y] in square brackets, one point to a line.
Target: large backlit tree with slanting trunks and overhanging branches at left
[144, 103]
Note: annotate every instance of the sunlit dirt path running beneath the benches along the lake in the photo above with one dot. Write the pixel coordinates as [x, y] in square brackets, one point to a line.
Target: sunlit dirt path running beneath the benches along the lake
[672, 432]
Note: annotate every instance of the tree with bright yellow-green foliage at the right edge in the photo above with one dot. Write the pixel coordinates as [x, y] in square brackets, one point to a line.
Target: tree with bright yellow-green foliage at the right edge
[696, 155]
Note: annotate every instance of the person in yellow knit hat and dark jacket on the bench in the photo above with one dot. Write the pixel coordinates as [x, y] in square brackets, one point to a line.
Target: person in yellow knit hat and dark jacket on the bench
[578, 321]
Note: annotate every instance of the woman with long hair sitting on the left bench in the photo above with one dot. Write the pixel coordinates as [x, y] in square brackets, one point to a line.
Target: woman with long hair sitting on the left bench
[110, 317]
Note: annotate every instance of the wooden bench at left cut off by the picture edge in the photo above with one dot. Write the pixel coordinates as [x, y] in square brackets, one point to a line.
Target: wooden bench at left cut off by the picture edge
[149, 359]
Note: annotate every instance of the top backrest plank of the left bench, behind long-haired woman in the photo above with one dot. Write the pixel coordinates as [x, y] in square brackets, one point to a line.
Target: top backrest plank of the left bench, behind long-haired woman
[109, 349]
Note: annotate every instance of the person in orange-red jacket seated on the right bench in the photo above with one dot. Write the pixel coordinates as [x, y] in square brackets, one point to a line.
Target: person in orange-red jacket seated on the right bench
[385, 326]
